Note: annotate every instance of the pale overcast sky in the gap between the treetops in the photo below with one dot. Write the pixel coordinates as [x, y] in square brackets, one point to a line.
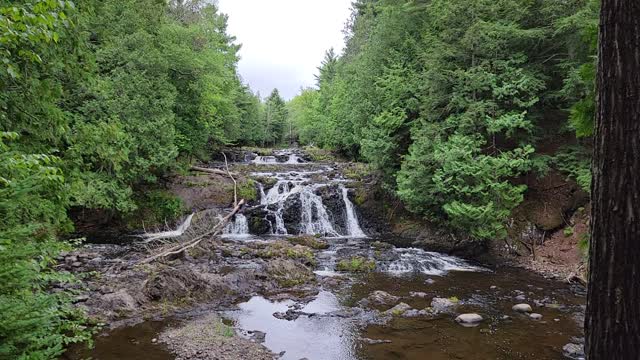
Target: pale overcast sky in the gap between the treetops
[283, 41]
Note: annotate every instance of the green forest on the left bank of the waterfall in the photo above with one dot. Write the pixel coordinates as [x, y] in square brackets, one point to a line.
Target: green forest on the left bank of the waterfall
[101, 99]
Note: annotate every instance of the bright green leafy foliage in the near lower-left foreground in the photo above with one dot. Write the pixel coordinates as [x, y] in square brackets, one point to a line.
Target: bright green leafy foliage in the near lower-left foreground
[34, 322]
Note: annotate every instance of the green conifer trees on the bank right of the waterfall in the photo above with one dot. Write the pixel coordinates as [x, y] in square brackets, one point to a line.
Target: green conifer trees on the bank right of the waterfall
[447, 99]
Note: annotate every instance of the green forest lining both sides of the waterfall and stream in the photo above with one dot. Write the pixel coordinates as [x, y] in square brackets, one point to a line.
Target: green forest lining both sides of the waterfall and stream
[451, 103]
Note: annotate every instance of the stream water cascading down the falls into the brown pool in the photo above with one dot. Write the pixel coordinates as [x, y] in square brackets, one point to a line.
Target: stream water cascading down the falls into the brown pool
[349, 315]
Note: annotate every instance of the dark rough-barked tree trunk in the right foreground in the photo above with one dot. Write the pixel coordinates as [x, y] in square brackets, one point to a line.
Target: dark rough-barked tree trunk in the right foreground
[613, 308]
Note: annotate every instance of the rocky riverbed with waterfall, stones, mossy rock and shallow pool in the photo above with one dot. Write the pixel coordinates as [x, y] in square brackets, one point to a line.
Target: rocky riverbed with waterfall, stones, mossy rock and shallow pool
[341, 291]
